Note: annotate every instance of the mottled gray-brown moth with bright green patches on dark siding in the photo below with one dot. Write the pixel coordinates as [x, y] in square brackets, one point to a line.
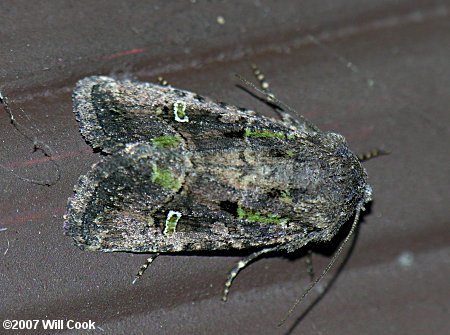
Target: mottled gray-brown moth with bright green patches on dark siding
[183, 173]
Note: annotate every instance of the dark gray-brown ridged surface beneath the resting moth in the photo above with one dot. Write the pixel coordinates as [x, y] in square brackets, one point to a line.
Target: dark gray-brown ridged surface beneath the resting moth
[396, 280]
